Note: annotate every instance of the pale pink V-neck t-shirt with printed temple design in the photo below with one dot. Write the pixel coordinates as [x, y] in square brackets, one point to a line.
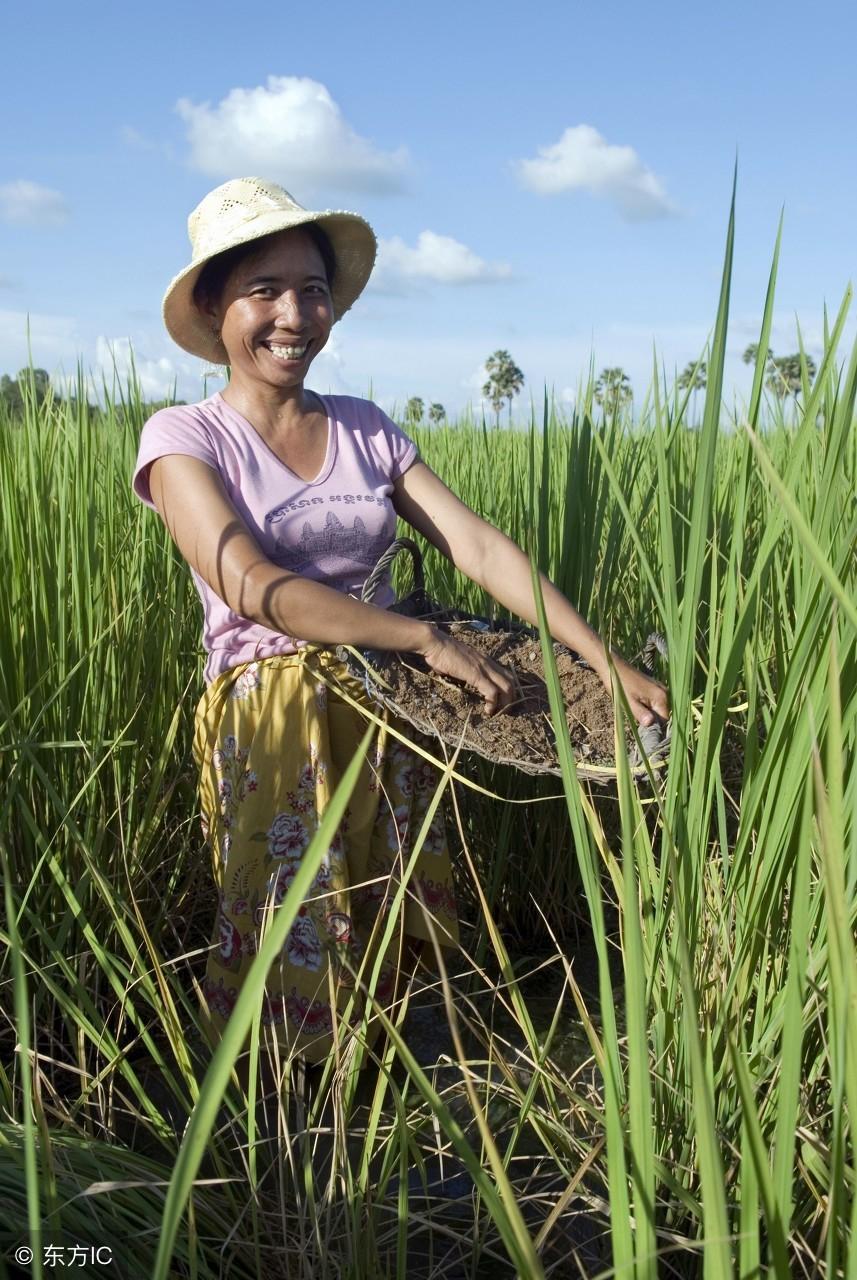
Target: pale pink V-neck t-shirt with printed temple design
[332, 529]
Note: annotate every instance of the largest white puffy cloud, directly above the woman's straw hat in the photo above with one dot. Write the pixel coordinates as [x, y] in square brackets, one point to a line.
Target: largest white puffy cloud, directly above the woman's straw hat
[292, 131]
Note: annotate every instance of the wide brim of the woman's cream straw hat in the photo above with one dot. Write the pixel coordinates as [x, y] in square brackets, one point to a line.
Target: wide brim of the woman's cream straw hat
[355, 248]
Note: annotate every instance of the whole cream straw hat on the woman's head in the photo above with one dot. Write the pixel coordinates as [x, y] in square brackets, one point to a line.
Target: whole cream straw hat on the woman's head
[245, 211]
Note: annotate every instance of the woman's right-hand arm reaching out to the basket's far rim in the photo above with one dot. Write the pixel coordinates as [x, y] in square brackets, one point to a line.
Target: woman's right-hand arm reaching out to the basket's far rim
[501, 568]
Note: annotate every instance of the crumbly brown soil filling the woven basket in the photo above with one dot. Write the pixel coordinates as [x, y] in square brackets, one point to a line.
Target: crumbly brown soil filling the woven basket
[524, 733]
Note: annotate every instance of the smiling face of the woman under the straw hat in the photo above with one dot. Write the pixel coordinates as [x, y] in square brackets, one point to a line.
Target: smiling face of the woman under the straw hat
[276, 312]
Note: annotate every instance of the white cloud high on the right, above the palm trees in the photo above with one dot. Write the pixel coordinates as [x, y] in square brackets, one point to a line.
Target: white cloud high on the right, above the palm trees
[583, 161]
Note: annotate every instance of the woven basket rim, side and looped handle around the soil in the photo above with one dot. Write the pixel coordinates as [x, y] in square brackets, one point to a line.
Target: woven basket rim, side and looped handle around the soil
[383, 673]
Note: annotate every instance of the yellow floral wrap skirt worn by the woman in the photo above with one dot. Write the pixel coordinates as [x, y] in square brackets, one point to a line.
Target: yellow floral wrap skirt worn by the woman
[272, 742]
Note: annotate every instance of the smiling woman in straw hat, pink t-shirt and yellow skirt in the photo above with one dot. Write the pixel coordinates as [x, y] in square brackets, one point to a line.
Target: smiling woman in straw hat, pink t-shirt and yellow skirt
[282, 502]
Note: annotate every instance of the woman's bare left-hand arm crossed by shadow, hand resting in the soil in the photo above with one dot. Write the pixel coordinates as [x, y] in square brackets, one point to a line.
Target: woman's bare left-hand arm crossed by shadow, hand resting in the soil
[194, 505]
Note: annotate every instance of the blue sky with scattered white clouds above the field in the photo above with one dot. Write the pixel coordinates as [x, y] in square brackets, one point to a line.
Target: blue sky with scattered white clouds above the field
[556, 181]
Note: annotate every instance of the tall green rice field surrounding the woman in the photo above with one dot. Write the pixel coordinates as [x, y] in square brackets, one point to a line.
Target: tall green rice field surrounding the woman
[644, 1063]
